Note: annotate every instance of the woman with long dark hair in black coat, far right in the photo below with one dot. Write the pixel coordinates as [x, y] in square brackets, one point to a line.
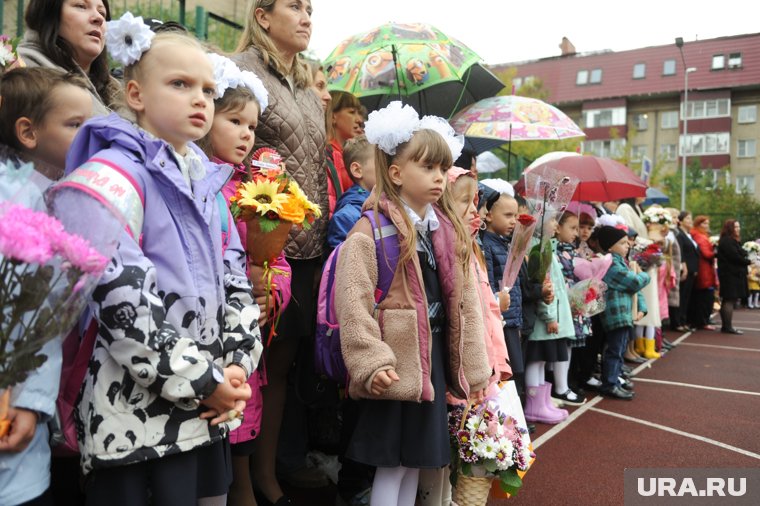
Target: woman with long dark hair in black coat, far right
[732, 272]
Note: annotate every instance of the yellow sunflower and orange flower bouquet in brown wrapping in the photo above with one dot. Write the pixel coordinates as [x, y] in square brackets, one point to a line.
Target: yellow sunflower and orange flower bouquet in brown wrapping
[270, 204]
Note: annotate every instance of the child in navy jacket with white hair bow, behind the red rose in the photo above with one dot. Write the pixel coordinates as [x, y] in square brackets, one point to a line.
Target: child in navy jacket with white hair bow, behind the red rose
[500, 220]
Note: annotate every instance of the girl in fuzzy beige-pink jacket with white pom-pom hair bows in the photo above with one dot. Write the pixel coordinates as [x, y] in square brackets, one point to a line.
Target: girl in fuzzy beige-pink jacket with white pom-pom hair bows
[429, 326]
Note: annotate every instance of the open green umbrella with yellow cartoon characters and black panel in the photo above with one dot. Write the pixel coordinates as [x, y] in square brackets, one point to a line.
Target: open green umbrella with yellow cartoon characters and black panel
[416, 63]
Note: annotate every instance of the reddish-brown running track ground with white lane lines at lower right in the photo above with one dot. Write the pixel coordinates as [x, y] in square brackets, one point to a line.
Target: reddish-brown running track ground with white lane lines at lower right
[698, 406]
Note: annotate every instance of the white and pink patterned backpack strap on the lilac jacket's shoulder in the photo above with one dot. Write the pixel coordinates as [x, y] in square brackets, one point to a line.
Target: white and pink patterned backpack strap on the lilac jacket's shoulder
[115, 188]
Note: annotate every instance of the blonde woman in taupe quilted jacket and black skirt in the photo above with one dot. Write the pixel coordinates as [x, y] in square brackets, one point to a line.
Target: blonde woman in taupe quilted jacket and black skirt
[293, 124]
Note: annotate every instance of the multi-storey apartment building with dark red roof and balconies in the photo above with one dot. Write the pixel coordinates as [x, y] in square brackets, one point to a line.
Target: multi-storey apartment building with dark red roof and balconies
[633, 101]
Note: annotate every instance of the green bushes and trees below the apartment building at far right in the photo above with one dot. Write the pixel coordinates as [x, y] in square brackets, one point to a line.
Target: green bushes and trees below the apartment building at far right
[714, 197]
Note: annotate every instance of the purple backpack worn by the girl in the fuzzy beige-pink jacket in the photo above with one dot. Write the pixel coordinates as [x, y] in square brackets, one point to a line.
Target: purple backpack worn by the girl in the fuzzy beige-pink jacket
[328, 358]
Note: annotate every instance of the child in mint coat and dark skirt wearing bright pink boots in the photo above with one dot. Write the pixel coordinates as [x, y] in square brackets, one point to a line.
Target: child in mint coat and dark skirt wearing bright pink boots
[549, 343]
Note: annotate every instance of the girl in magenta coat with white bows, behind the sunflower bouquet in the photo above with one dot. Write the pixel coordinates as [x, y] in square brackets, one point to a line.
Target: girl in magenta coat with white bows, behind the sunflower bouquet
[230, 140]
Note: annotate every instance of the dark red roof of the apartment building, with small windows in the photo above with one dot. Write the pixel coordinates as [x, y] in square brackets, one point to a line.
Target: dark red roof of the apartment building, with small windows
[559, 73]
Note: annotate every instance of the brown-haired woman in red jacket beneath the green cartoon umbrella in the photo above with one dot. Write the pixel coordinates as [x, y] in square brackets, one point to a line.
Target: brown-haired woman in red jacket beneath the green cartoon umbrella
[343, 119]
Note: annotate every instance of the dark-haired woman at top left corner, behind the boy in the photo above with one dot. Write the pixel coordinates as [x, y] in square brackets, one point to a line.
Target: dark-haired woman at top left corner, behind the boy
[70, 35]
